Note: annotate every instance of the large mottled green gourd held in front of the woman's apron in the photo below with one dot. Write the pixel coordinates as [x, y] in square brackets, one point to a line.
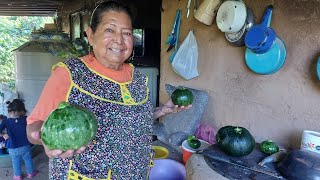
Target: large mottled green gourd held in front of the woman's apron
[69, 127]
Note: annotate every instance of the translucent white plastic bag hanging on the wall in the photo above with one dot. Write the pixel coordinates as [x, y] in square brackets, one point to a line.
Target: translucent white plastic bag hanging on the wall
[185, 62]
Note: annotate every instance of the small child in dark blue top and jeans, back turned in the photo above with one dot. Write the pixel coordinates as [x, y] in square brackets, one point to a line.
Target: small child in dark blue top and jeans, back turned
[19, 146]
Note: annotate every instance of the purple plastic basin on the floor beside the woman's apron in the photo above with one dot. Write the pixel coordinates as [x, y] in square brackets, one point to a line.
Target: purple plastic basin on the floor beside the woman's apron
[167, 169]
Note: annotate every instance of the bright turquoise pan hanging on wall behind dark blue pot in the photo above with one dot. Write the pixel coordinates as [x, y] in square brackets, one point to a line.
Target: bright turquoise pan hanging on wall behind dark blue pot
[269, 62]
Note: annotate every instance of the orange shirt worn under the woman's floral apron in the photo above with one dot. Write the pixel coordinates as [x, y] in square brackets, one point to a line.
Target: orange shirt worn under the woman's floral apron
[58, 84]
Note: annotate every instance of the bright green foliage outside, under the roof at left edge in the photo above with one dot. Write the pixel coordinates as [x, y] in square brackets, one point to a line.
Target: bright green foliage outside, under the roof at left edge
[14, 31]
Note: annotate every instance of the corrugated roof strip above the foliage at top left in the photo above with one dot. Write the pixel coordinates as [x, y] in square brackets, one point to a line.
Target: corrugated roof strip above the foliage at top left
[29, 7]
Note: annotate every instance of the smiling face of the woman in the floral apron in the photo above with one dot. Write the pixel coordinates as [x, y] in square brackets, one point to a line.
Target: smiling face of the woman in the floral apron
[113, 40]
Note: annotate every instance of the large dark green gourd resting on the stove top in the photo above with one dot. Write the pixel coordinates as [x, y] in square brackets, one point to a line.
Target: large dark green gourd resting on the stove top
[235, 141]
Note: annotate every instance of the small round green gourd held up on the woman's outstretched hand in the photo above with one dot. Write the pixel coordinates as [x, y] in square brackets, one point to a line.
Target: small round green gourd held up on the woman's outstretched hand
[182, 97]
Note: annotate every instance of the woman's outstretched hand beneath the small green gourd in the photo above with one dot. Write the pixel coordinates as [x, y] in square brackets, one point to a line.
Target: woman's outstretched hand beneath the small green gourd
[169, 108]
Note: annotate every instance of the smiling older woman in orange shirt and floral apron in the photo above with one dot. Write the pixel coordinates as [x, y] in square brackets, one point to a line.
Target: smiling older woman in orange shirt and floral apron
[115, 92]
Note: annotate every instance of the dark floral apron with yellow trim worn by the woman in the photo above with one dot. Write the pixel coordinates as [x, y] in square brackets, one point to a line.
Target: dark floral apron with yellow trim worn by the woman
[121, 148]
